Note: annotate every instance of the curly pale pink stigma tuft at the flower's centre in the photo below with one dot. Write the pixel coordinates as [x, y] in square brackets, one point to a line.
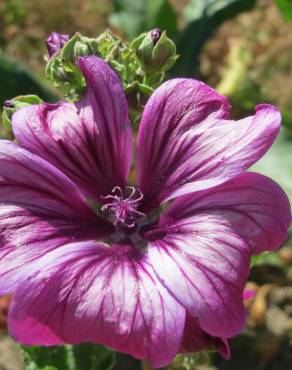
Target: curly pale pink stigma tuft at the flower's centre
[124, 208]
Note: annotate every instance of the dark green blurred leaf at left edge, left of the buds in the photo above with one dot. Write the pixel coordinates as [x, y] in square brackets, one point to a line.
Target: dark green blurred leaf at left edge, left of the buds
[17, 80]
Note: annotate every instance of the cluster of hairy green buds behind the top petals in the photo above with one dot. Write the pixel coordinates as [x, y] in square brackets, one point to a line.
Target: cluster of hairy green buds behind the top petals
[141, 65]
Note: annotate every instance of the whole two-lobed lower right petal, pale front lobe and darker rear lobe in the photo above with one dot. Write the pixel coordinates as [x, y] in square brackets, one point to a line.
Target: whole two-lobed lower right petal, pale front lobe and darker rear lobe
[203, 256]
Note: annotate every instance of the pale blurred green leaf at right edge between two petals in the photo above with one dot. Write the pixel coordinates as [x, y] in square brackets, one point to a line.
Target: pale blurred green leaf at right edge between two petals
[277, 163]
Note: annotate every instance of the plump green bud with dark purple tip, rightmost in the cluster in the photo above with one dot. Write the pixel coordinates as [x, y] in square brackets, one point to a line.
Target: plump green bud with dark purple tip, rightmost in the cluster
[156, 52]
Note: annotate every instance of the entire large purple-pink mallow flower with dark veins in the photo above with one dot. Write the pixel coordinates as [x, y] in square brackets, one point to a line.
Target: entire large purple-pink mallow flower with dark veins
[150, 266]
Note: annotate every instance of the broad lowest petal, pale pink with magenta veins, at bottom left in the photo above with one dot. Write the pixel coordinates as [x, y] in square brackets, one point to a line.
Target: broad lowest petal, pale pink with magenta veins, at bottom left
[90, 292]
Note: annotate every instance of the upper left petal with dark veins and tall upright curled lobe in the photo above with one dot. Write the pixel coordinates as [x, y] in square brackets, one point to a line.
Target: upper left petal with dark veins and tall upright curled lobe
[90, 141]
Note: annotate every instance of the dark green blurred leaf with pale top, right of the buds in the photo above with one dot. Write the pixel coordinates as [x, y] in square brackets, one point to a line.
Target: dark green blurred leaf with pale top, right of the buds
[202, 18]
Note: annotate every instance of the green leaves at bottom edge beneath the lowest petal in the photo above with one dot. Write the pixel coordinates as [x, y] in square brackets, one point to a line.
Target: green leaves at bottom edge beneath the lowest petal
[84, 356]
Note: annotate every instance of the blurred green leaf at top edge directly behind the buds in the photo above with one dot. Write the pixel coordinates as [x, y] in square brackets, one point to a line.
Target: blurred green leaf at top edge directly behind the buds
[134, 17]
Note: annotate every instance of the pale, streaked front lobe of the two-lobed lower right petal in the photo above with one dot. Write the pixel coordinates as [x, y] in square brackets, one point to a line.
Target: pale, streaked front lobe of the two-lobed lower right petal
[204, 265]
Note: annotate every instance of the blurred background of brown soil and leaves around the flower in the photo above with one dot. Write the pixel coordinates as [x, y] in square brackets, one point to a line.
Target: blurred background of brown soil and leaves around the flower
[243, 48]
